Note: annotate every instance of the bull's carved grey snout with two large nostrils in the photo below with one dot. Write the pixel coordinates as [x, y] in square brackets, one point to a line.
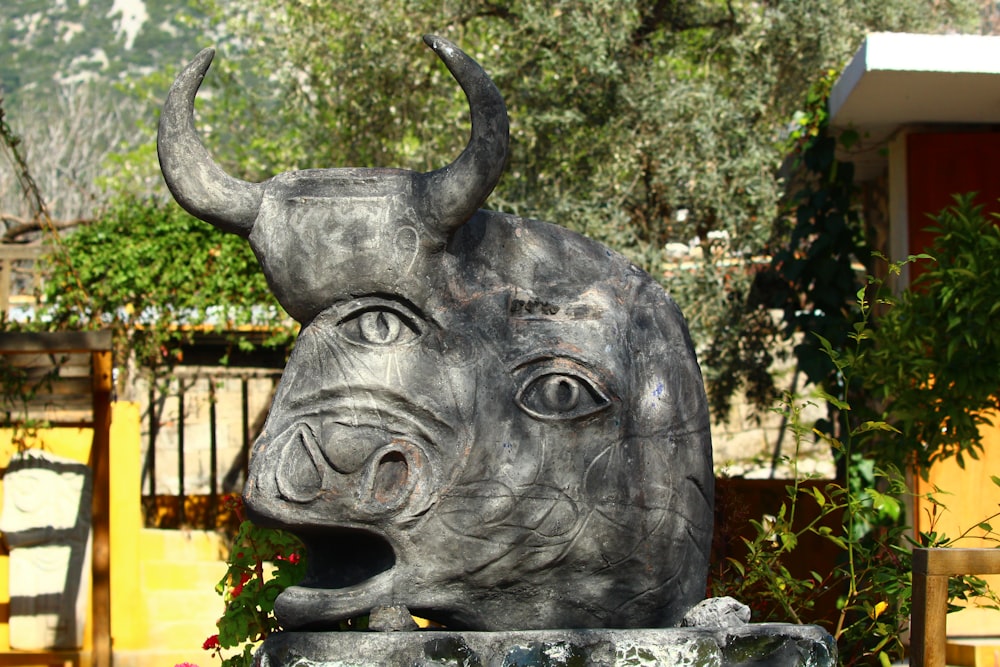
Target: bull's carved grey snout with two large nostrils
[365, 473]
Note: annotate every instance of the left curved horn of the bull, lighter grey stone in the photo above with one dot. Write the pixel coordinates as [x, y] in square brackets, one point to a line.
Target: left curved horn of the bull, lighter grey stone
[196, 181]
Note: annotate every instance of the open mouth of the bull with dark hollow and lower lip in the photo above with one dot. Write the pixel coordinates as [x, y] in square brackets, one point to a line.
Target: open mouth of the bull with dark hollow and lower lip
[350, 571]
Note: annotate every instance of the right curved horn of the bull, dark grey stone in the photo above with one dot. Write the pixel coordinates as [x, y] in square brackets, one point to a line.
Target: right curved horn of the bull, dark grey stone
[453, 193]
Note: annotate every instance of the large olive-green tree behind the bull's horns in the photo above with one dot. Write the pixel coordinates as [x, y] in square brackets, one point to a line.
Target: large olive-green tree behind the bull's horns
[638, 123]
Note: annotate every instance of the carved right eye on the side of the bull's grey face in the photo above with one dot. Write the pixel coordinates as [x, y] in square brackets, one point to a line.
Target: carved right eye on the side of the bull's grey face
[555, 392]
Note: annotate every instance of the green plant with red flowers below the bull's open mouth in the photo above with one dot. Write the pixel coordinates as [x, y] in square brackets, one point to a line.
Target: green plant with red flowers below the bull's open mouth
[262, 563]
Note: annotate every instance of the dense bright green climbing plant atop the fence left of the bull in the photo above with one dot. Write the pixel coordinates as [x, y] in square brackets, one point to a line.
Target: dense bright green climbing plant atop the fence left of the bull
[155, 275]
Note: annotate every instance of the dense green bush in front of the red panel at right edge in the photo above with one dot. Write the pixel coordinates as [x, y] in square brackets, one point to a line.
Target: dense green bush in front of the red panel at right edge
[935, 358]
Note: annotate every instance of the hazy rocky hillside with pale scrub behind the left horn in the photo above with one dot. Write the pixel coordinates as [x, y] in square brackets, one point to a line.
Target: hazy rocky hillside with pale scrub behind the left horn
[68, 69]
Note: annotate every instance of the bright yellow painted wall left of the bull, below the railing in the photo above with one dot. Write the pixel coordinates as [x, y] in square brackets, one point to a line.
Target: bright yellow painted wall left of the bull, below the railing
[169, 574]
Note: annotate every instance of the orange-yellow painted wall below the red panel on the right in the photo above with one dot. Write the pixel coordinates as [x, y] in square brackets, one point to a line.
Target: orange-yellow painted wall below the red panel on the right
[970, 497]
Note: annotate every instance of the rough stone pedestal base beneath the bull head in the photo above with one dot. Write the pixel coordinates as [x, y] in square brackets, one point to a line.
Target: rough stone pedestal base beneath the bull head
[775, 645]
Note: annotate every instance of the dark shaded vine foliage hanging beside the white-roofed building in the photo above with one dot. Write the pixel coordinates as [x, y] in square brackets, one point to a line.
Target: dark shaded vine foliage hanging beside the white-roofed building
[818, 241]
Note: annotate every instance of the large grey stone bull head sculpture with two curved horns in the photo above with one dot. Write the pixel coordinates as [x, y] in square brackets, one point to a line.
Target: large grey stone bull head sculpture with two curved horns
[492, 421]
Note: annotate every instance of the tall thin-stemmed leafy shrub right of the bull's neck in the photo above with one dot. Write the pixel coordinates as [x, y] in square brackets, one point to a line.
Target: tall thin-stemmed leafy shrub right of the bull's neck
[860, 517]
